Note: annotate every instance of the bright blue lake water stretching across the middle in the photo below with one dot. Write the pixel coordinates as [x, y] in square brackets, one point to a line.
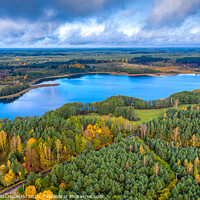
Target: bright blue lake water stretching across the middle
[91, 88]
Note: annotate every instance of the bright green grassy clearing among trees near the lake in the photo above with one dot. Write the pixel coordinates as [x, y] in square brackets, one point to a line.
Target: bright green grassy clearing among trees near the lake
[147, 115]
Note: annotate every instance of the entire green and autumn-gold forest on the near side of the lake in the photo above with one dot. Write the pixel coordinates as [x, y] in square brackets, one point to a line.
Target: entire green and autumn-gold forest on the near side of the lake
[90, 152]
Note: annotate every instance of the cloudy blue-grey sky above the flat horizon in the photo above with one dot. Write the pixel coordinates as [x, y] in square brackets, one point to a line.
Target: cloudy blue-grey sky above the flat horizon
[99, 23]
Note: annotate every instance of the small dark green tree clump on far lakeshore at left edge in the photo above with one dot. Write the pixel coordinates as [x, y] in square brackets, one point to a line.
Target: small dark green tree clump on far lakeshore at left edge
[8, 90]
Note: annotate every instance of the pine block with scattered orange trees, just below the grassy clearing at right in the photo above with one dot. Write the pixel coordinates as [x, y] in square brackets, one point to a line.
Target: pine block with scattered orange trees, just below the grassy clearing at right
[181, 127]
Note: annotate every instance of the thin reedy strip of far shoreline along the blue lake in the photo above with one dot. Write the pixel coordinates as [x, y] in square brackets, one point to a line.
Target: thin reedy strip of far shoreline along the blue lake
[37, 81]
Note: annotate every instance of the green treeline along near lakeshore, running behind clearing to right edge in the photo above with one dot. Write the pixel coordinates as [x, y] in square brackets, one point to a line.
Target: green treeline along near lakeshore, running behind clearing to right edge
[124, 106]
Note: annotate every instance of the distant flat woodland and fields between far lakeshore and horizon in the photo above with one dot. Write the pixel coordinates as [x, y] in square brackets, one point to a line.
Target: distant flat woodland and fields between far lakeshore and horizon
[20, 69]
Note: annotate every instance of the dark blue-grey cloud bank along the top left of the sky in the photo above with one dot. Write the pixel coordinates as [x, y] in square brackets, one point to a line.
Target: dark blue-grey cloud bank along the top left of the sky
[57, 9]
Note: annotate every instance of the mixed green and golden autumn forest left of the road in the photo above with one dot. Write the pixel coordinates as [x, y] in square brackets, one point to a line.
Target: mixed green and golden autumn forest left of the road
[33, 144]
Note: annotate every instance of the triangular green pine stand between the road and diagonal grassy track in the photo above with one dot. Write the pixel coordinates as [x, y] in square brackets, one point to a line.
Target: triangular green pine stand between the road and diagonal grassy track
[124, 170]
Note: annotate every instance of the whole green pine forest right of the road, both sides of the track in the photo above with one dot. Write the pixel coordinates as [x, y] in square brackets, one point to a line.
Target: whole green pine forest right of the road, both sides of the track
[134, 168]
